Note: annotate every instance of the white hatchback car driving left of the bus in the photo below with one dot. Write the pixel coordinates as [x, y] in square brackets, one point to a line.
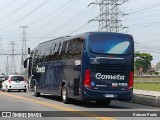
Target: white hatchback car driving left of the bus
[14, 82]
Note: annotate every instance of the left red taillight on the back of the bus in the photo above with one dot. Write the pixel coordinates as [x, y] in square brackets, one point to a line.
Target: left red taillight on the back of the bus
[87, 80]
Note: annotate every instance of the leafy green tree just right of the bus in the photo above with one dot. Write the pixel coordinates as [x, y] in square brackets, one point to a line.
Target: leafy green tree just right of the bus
[143, 60]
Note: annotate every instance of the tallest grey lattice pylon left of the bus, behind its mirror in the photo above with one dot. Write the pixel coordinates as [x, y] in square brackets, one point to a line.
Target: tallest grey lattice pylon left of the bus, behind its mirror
[24, 47]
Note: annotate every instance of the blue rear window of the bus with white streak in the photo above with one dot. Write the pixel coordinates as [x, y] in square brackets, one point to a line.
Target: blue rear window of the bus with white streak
[110, 44]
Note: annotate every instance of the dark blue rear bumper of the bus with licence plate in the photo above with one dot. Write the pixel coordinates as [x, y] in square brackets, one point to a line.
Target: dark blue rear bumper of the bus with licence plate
[89, 94]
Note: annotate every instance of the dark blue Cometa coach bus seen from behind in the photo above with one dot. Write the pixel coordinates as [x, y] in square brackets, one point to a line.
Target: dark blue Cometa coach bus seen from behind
[95, 66]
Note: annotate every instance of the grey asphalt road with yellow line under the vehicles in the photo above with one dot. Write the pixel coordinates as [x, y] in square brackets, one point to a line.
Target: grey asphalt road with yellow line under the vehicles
[26, 105]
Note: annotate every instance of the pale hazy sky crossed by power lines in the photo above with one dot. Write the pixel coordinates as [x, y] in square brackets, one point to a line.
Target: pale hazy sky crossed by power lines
[48, 19]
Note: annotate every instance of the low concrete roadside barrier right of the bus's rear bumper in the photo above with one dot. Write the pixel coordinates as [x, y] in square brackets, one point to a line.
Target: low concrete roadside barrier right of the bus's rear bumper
[151, 98]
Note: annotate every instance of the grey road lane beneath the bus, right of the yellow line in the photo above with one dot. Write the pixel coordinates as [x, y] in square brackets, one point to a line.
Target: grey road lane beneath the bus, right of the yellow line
[85, 105]
